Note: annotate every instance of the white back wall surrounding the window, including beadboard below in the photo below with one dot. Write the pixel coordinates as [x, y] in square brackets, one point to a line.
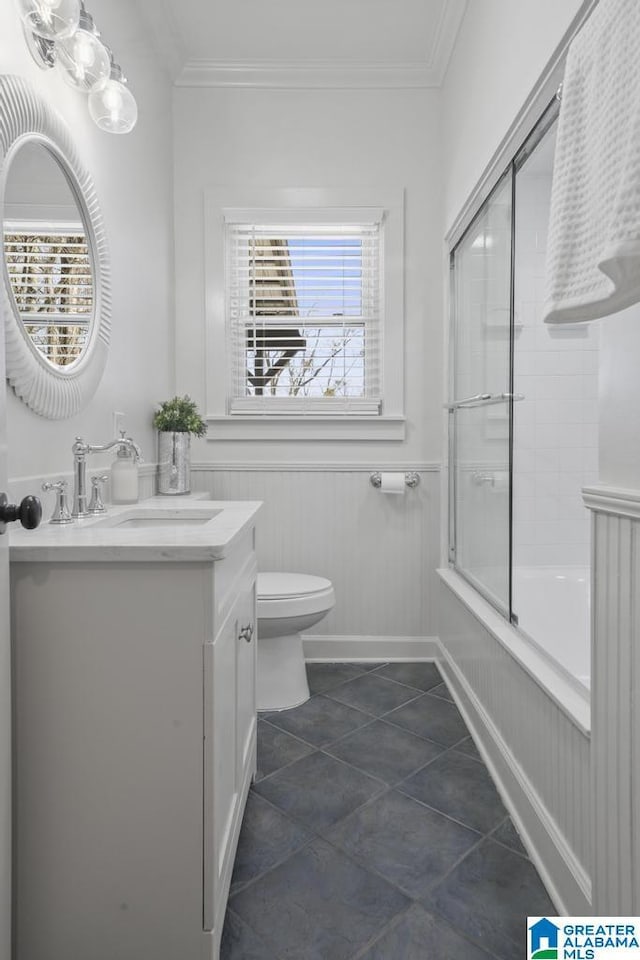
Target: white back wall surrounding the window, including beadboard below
[383, 576]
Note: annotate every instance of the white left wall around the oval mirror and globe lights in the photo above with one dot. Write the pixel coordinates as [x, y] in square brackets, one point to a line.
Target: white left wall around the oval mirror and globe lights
[133, 177]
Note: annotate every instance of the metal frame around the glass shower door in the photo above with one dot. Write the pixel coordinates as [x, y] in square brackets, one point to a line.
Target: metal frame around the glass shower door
[536, 134]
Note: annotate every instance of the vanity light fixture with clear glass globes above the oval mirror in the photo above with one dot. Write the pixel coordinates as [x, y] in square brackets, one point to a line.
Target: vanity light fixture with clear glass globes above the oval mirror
[62, 32]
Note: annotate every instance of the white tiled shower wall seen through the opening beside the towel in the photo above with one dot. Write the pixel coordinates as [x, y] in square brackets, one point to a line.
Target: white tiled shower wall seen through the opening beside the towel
[556, 425]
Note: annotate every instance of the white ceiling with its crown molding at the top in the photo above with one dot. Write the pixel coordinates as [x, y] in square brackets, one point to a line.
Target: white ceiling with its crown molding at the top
[305, 43]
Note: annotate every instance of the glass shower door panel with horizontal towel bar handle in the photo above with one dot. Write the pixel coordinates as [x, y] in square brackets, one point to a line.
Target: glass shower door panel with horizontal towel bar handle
[480, 406]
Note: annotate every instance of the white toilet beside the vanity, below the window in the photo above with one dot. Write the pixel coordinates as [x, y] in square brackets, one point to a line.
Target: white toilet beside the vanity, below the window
[287, 604]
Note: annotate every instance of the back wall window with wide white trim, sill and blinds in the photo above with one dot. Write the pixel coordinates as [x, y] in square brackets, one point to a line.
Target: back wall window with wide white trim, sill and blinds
[305, 318]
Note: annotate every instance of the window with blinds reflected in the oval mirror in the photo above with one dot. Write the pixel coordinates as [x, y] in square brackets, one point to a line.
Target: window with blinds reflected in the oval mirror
[51, 280]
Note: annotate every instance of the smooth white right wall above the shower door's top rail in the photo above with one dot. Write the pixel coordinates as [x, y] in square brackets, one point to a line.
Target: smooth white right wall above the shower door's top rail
[501, 50]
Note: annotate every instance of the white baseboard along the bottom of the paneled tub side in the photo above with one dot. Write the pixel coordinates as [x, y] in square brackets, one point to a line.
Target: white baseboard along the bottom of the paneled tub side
[566, 881]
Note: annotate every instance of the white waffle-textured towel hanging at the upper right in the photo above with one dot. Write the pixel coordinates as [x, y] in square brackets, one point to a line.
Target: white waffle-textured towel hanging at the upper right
[593, 251]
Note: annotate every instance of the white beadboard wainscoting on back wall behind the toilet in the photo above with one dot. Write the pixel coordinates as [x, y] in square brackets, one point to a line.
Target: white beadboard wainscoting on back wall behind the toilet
[380, 551]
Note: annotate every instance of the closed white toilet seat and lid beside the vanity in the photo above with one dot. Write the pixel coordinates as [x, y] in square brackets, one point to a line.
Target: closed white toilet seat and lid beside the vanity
[292, 594]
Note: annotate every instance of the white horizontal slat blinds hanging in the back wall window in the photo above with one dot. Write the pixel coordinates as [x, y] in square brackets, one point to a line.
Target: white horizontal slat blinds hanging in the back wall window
[304, 317]
